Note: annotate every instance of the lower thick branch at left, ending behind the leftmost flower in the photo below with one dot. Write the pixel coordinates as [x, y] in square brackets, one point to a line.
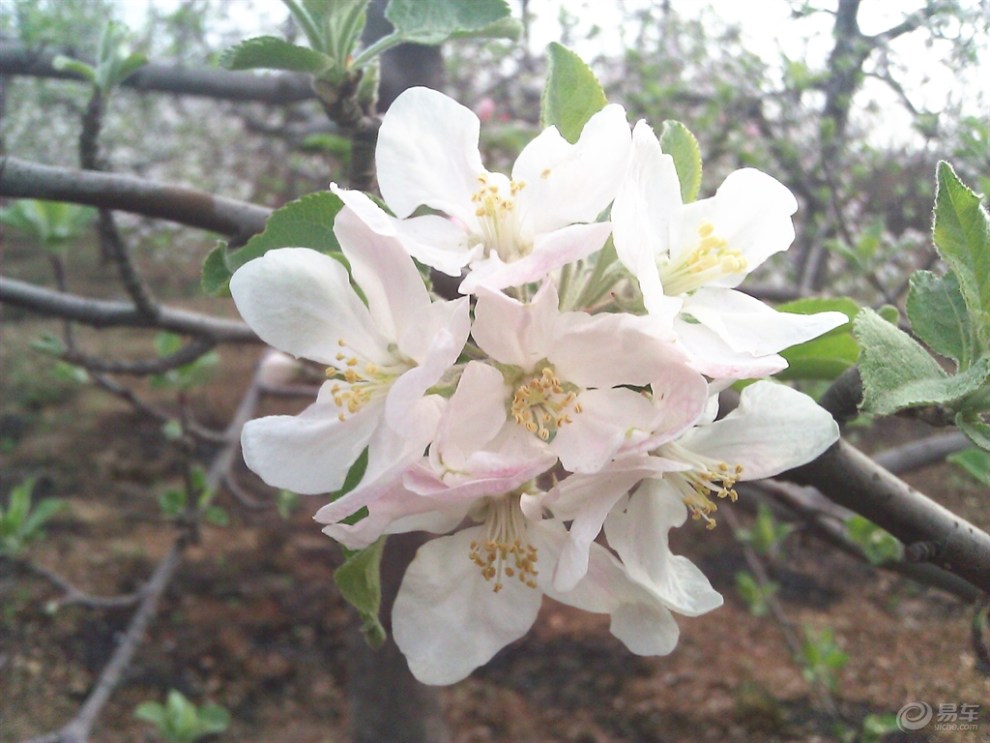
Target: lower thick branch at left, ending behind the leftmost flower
[101, 313]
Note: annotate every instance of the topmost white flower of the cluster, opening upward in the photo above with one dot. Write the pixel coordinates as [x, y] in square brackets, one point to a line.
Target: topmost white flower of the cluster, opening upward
[510, 230]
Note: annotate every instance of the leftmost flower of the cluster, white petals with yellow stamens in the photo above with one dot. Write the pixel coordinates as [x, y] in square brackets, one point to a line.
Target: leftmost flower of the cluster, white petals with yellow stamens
[381, 358]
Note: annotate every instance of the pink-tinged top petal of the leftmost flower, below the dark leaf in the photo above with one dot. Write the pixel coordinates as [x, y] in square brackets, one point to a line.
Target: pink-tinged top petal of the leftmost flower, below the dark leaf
[390, 282]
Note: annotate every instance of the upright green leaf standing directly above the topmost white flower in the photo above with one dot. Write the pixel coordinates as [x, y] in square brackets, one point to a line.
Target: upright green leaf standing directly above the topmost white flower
[572, 93]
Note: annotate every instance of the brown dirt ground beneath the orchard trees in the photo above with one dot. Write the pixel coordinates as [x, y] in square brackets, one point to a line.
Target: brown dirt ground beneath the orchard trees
[252, 620]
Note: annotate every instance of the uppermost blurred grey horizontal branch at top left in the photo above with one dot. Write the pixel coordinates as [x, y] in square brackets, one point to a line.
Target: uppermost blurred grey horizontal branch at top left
[17, 59]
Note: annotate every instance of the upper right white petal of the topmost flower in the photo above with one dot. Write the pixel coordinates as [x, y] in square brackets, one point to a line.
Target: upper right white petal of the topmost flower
[558, 189]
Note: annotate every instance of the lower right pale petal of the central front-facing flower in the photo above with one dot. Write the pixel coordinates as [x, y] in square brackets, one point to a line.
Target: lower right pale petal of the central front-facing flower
[609, 419]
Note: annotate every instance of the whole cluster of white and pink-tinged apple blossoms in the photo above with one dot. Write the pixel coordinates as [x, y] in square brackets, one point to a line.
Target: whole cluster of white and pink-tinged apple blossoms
[554, 422]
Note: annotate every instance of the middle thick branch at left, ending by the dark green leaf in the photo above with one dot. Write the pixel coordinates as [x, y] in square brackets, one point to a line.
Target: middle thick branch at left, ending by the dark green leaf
[27, 180]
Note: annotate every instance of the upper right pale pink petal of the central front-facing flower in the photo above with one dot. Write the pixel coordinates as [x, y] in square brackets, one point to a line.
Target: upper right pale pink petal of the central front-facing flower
[609, 349]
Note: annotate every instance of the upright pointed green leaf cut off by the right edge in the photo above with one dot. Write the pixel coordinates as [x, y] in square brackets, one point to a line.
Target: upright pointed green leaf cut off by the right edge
[962, 236]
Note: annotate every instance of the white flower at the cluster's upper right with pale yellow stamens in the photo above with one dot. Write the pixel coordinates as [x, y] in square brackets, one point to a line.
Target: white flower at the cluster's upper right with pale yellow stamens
[689, 257]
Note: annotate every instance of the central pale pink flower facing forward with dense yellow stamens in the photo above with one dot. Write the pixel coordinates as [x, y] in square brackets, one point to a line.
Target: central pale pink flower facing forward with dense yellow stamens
[566, 370]
